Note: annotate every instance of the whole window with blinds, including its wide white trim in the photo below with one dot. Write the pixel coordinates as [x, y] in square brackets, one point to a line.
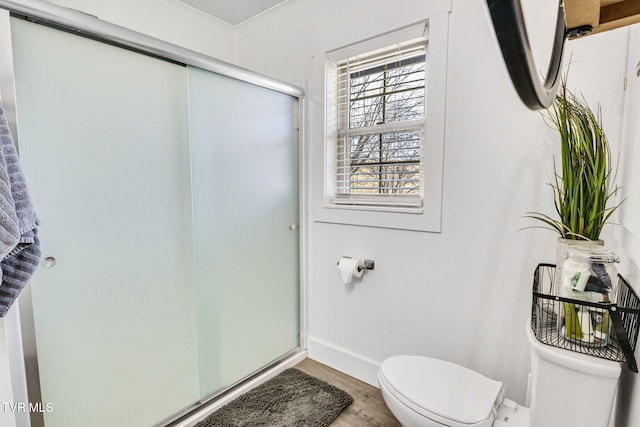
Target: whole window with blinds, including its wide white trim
[385, 103]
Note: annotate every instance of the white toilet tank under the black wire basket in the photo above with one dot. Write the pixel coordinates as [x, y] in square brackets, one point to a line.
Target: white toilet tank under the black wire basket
[568, 388]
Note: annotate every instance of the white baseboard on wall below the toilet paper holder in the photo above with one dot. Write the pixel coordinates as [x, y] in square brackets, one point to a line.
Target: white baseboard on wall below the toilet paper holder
[344, 360]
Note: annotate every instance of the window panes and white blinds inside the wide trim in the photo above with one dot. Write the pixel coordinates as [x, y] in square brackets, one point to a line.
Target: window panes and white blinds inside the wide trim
[380, 107]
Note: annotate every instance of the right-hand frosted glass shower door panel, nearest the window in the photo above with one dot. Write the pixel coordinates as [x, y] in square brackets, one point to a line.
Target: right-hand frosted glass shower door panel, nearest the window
[244, 155]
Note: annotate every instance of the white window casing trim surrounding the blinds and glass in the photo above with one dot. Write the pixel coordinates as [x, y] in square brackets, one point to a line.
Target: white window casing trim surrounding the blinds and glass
[423, 216]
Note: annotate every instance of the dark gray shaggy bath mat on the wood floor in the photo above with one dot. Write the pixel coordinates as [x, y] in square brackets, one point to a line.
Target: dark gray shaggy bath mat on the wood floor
[292, 398]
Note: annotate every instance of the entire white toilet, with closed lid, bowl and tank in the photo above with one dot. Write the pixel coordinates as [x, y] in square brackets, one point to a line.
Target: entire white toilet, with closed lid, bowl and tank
[566, 389]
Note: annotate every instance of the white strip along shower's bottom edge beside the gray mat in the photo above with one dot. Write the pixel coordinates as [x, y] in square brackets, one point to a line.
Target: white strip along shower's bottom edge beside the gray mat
[217, 403]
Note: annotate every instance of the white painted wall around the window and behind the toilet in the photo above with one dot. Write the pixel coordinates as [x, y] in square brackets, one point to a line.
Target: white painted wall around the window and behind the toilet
[464, 294]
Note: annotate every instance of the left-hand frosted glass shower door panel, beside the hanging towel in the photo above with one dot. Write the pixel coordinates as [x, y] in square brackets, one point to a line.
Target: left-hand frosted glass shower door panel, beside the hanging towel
[104, 144]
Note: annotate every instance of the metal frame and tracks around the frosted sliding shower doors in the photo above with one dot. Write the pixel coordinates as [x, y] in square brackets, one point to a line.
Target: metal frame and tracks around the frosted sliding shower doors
[90, 26]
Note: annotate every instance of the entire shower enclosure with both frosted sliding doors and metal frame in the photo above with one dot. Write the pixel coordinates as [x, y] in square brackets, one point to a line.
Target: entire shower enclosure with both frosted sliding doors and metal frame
[167, 185]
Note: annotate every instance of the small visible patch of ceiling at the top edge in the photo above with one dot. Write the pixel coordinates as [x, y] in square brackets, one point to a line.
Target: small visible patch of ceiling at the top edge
[233, 12]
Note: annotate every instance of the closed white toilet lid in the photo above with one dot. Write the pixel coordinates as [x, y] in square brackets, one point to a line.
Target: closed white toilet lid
[442, 388]
